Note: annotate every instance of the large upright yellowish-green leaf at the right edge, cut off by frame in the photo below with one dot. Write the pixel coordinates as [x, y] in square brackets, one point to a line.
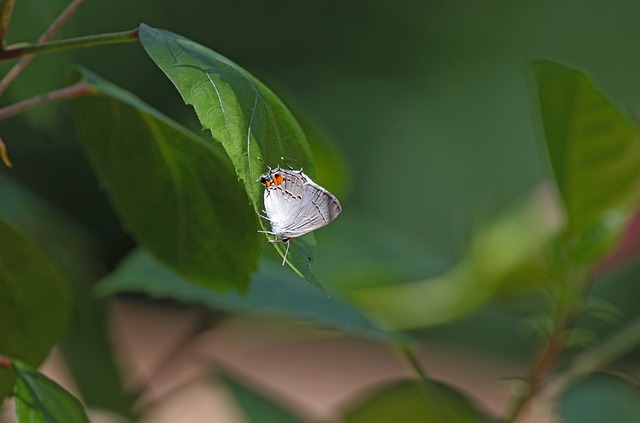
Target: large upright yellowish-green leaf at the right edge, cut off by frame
[594, 149]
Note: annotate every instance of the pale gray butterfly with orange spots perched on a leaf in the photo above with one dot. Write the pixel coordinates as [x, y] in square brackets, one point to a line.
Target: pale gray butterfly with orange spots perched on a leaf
[295, 205]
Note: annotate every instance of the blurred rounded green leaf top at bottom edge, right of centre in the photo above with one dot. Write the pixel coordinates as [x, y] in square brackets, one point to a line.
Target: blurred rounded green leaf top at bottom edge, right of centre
[412, 401]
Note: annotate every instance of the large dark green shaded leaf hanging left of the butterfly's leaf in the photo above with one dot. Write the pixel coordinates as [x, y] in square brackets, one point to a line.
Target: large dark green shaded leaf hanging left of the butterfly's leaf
[176, 193]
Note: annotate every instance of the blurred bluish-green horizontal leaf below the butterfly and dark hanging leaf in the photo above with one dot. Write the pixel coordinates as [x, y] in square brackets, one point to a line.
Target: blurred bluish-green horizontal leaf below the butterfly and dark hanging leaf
[272, 292]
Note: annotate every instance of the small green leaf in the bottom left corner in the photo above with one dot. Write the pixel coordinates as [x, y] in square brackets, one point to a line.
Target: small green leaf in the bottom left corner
[39, 399]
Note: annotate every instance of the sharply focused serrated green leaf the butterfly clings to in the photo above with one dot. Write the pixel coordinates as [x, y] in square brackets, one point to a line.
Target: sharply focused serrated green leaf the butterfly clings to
[247, 118]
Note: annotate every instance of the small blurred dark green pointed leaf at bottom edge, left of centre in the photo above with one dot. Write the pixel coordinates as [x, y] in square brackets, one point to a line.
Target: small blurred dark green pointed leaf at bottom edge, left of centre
[257, 408]
